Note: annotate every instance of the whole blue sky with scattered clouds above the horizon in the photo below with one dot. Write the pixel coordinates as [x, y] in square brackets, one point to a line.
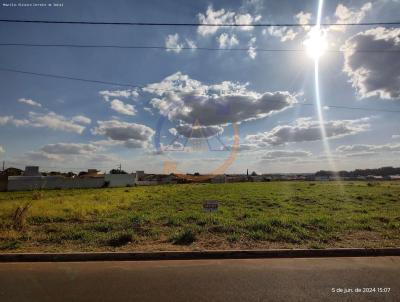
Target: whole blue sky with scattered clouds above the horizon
[64, 125]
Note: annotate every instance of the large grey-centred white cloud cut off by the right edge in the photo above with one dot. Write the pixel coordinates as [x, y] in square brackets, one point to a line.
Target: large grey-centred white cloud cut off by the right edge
[374, 74]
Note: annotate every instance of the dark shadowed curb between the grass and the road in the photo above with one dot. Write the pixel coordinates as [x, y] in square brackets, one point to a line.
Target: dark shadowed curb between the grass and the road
[198, 255]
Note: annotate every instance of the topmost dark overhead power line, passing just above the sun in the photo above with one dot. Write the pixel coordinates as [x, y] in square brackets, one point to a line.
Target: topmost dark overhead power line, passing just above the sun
[194, 24]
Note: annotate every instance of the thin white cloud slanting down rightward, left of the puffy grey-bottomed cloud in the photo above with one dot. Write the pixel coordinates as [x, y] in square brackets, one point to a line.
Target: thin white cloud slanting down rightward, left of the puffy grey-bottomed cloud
[54, 121]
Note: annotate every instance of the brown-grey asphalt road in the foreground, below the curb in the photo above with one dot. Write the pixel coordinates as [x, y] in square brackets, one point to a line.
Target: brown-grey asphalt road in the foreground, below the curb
[203, 280]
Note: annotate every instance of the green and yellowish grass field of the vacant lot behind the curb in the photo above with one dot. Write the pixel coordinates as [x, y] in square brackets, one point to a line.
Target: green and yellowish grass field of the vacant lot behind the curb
[170, 217]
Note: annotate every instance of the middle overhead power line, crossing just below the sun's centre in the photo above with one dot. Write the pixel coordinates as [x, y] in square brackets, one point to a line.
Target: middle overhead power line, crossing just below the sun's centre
[191, 48]
